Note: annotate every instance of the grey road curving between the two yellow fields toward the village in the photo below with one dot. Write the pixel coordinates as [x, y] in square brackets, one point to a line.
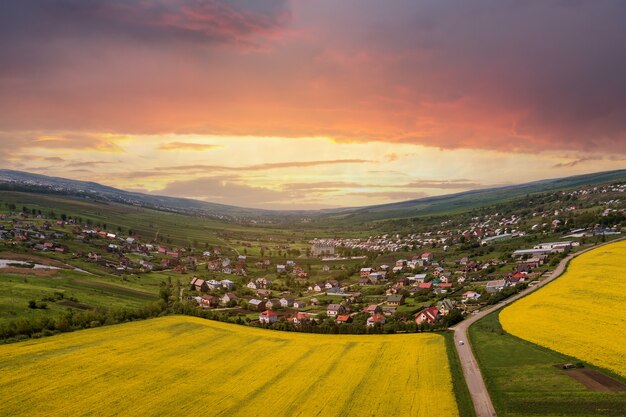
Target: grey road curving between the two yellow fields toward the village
[471, 370]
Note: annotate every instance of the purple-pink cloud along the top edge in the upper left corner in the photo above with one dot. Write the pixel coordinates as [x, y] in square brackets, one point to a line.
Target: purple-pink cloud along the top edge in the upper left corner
[156, 21]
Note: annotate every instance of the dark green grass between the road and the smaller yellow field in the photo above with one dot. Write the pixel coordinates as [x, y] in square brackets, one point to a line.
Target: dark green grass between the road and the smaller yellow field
[523, 381]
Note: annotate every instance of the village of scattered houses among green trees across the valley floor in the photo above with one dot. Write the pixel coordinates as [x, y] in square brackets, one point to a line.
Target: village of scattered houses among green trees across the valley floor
[418, 281]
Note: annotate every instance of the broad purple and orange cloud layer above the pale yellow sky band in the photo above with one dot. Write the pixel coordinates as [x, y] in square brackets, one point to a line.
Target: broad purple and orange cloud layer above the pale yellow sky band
[488, 74]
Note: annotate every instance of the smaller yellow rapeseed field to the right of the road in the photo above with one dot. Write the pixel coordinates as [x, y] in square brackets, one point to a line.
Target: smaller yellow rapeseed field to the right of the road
[582, 313]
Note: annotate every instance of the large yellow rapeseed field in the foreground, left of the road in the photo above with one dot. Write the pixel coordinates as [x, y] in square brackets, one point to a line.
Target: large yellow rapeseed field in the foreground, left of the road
[189, 366]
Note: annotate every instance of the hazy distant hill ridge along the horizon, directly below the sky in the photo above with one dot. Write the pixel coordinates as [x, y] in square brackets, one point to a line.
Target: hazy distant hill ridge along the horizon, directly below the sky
[28, 182]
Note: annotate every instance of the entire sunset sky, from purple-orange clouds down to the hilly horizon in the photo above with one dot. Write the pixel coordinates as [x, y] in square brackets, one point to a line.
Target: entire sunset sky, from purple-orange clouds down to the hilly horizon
[312, 104]
